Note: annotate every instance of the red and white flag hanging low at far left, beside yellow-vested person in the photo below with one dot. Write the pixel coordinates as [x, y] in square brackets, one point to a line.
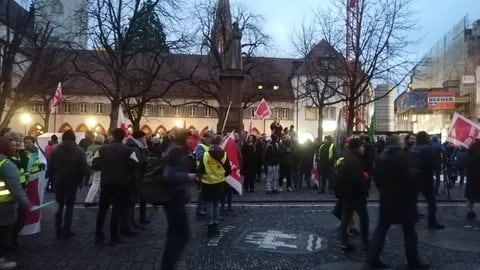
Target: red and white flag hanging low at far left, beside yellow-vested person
[35, 187]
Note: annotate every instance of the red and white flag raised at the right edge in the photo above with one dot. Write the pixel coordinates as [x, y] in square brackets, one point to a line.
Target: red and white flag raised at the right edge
[462, 131]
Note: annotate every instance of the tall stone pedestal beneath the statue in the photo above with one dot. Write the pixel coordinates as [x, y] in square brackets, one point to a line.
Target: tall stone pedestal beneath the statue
[231, 85]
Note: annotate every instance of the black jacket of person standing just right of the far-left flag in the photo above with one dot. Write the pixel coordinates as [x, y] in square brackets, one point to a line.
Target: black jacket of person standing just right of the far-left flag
[68, 164]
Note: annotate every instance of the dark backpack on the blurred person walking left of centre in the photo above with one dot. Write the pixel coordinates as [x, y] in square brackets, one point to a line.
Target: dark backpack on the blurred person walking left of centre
[152, 184]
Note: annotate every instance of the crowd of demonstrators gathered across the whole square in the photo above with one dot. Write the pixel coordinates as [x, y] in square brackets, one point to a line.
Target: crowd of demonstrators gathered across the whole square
[400, 168]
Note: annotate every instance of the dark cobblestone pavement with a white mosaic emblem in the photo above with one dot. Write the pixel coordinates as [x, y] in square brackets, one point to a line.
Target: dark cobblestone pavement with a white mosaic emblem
[254, 236]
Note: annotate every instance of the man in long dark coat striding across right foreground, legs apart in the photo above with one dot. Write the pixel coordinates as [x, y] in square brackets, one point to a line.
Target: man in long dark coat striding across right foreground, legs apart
[398, 203]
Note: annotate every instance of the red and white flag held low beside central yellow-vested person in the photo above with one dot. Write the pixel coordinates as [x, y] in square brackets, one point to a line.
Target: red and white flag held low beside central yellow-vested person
[234, 179]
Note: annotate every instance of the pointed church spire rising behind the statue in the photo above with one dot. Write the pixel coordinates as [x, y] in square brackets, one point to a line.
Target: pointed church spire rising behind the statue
[222, 26]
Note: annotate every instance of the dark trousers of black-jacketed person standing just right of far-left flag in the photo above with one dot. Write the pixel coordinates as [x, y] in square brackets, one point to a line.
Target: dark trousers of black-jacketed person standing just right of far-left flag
[65, 194]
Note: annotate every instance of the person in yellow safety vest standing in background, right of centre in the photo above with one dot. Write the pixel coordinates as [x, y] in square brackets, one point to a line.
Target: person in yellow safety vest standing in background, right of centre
[326, 162]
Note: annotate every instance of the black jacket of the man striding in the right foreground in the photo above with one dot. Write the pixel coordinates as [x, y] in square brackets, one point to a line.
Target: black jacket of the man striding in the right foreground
[398, 191]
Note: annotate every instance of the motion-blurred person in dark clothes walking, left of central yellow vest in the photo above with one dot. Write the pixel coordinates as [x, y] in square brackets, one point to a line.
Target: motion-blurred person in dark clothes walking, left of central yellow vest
[178, 173]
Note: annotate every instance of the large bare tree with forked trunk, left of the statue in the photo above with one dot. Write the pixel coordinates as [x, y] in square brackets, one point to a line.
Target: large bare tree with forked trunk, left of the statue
[126, 71]
